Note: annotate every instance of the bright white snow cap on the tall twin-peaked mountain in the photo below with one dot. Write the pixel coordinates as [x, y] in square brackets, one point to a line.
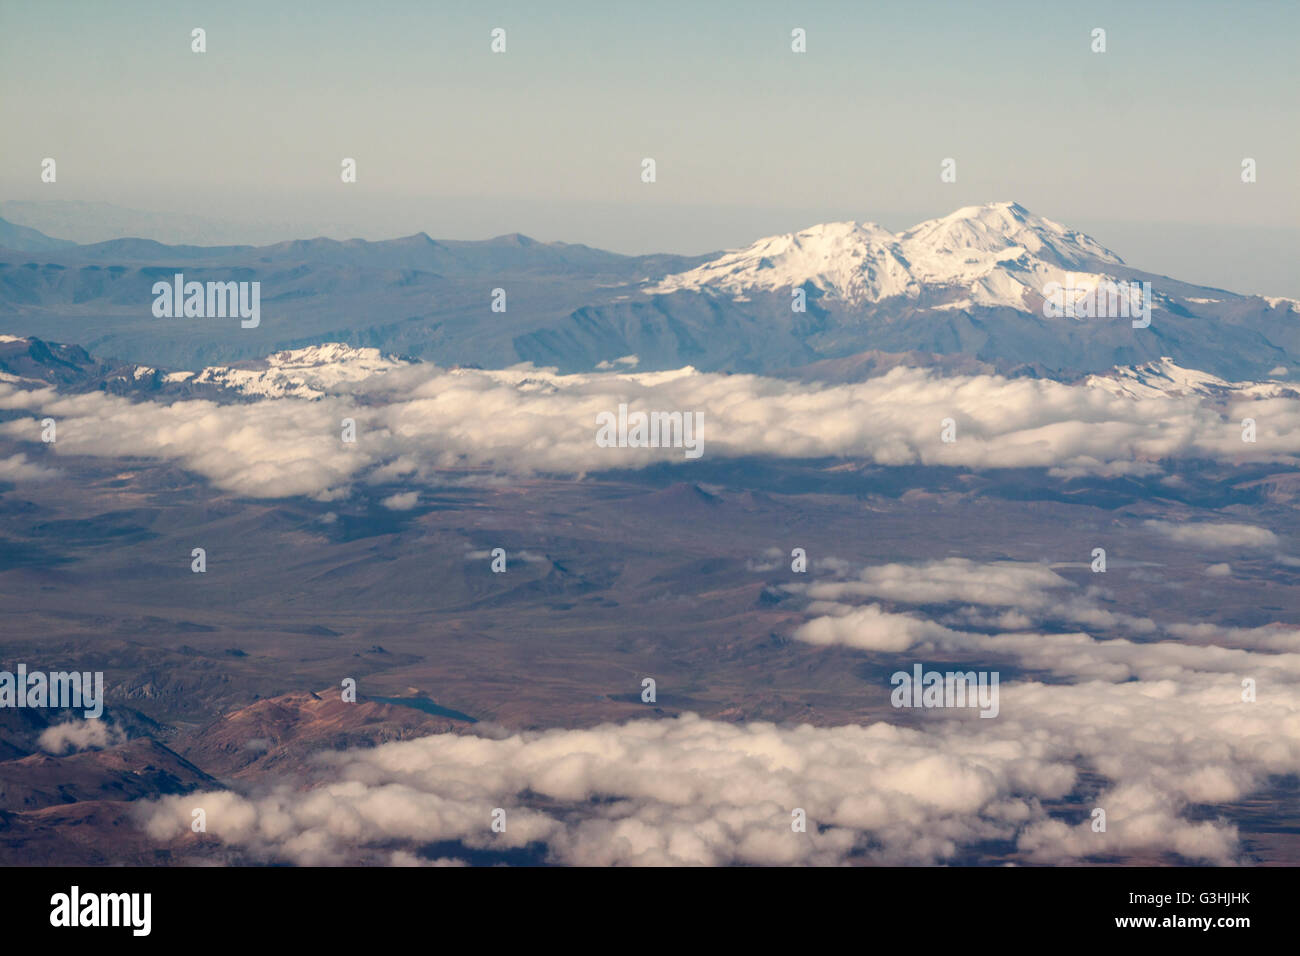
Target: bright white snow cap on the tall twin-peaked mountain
[993, 256]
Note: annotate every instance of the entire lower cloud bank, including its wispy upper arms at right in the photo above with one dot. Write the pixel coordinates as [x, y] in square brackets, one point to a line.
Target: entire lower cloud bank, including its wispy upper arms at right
[1164, 724]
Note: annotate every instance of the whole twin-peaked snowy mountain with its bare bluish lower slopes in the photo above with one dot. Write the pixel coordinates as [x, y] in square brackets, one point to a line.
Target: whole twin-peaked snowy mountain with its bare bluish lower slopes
[994, 283]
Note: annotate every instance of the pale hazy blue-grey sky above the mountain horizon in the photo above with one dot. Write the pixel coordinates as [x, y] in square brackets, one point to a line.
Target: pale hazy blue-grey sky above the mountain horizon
[1141, 146]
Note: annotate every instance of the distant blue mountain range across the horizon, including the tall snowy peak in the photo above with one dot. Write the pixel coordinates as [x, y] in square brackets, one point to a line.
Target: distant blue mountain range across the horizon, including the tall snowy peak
[972, 284]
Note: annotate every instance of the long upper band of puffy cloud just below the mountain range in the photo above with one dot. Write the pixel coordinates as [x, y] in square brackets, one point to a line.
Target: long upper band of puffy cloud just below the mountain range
[414, 421]
